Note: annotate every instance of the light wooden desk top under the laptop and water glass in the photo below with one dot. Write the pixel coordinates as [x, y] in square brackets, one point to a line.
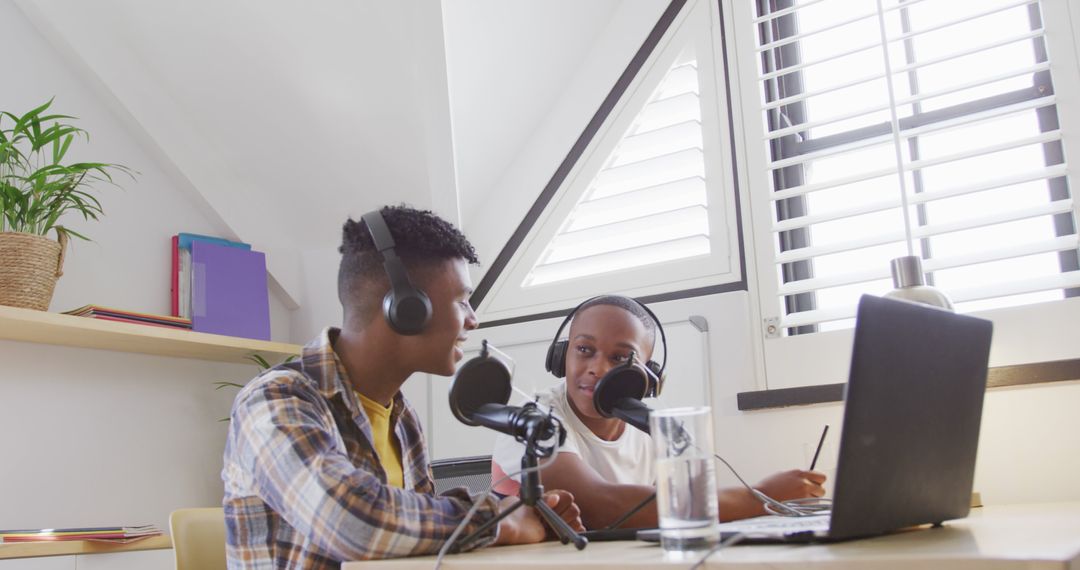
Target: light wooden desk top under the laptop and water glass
[1036, 537]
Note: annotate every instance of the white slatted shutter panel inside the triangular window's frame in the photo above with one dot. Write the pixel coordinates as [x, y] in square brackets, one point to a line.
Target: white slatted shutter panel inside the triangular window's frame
[649, 205]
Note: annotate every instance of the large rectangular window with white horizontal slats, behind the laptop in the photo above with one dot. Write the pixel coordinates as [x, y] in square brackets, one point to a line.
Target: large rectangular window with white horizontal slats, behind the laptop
[895, 128]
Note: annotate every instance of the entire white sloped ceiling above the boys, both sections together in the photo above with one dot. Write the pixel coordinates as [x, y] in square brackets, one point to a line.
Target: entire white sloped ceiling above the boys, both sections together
[282, 118]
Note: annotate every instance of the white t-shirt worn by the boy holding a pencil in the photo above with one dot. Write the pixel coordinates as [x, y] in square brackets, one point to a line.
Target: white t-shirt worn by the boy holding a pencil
[627, 460]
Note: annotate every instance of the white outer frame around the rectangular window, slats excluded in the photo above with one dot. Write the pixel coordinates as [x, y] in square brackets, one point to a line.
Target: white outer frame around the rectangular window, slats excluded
[1025, 334]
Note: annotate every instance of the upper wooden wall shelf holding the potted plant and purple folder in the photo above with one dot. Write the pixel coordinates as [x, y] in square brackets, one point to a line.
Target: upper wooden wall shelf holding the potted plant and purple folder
[55, 329]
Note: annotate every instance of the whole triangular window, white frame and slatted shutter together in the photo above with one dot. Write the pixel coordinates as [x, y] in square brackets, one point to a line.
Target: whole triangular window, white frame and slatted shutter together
[650, 208]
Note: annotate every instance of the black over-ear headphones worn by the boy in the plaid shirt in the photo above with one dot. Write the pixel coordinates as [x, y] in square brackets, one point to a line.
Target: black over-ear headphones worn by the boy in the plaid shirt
[407, 308]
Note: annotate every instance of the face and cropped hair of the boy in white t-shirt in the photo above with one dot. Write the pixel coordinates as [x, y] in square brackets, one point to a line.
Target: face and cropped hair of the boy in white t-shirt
[602, 337]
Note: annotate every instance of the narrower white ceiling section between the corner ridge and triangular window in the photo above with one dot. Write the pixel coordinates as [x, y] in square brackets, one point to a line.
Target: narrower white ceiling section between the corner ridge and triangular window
[508, 64]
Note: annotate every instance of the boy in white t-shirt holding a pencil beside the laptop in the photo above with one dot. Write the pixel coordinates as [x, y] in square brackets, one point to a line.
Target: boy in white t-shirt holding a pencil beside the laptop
[606, 465]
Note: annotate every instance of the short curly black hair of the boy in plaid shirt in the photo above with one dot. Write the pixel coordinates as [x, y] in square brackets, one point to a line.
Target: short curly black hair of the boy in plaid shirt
[422, 239]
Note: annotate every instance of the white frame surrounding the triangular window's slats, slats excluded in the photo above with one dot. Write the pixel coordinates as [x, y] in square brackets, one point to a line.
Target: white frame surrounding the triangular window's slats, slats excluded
[501, 301]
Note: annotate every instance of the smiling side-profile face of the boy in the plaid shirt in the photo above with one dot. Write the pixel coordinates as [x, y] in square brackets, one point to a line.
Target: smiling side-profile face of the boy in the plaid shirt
[439, 348]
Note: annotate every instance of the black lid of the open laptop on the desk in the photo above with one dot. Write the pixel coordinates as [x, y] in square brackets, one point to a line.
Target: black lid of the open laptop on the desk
[913, 411]
